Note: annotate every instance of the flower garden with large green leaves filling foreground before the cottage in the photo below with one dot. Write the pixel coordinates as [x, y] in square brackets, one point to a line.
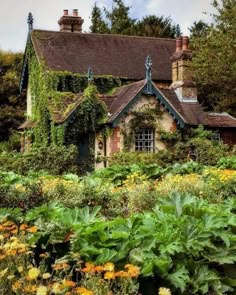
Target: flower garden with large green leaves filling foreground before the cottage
[126, 229]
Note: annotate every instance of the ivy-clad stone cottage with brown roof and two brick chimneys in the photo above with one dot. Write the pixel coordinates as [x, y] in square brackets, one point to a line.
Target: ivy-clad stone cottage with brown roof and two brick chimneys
[154, 91]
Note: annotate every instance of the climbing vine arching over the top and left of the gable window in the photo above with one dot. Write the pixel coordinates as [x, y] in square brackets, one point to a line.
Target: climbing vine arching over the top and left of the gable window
[142, 118]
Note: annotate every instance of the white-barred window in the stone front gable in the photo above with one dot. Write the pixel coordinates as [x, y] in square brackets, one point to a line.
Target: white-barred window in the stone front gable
[144, 140]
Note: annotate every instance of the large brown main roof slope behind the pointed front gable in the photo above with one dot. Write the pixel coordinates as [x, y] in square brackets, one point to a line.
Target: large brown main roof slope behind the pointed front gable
[116, 55]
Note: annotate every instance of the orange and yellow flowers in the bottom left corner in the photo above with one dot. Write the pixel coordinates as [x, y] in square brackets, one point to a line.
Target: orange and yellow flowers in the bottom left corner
[21, 272]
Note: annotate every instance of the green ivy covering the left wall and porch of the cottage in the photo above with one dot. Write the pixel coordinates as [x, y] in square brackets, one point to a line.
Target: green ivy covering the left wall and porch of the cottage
[49, 91]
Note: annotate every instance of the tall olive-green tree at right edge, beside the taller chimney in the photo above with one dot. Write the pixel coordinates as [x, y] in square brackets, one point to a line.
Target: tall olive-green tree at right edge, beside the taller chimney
[214, 60]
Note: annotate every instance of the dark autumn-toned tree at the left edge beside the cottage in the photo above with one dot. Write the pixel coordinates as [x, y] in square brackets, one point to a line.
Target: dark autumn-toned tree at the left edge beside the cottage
[12, 103]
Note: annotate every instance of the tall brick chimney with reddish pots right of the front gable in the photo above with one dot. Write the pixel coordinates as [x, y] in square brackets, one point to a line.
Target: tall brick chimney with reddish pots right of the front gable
[182, 82]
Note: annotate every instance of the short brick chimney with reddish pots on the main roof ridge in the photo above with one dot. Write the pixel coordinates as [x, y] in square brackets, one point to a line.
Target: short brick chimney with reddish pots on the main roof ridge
[71, 23]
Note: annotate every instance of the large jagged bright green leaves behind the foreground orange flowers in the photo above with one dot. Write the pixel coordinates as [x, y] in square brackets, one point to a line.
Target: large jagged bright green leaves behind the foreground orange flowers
[185, 242]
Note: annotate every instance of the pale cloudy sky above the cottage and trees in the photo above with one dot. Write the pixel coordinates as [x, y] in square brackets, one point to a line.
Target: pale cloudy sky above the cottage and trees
[13, 15]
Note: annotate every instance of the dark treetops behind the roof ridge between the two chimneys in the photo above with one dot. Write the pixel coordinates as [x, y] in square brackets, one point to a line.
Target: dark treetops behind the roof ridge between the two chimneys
[118, 21]
